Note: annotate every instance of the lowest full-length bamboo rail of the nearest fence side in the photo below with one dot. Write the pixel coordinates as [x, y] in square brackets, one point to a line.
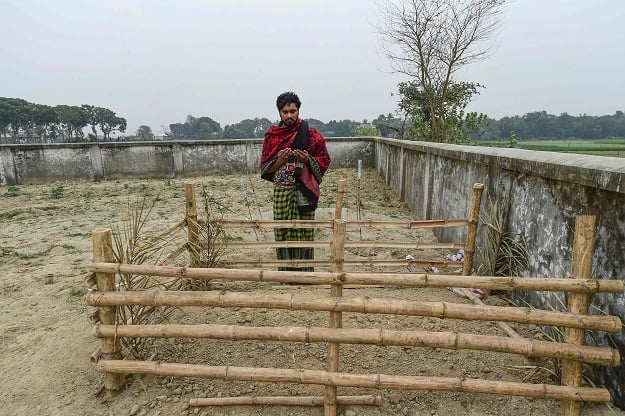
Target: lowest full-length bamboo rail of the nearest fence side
[374, 381]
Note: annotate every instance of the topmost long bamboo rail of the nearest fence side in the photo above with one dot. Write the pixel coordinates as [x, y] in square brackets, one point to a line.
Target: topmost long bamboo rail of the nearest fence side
[390, 279]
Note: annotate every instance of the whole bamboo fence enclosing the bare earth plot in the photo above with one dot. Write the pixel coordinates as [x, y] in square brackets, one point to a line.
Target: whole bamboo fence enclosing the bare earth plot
[576, 320]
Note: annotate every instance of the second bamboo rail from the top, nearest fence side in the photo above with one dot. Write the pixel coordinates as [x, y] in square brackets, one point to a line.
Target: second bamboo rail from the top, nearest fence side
[356, 304]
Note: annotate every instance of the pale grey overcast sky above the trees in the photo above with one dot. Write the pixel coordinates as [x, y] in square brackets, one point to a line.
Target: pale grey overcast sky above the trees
[155, 61]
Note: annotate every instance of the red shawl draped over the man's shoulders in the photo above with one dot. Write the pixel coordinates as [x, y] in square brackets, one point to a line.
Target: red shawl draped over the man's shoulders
[282, 137]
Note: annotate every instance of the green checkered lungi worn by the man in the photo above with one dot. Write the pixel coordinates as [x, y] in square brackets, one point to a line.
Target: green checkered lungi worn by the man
[285, 208]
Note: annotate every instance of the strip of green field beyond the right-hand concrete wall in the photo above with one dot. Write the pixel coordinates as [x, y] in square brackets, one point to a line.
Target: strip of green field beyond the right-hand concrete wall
[602, 147]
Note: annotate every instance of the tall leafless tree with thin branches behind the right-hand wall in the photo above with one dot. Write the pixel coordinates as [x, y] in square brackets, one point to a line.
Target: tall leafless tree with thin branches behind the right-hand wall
[429, 40]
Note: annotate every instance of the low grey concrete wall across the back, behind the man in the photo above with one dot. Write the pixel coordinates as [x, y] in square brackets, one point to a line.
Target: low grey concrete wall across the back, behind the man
[35, 164]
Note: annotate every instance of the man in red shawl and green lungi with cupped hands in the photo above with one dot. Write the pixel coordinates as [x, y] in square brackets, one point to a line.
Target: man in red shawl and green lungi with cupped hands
[294, 158]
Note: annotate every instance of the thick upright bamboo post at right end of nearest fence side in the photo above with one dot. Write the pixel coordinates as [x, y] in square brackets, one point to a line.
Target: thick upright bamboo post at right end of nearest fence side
[581, 268]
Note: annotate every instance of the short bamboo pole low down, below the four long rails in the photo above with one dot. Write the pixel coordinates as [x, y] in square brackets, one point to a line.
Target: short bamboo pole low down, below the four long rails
[286, 401]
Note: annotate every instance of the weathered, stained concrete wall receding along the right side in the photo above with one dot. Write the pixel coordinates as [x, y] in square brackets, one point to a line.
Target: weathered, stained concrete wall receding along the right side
[541, 193]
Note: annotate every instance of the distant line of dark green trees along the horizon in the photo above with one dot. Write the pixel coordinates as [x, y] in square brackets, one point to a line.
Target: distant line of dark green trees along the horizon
[25, 122]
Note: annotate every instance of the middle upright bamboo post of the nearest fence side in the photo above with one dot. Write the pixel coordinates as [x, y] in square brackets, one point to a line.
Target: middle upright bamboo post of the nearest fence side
[336, 318]
